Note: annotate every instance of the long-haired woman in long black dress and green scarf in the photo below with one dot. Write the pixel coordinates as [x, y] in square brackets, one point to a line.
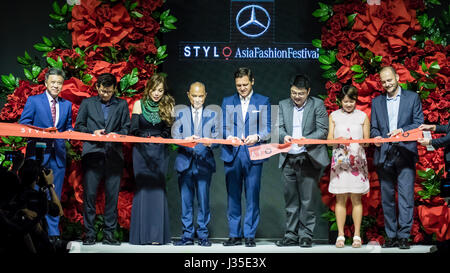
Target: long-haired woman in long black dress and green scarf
[152, 116]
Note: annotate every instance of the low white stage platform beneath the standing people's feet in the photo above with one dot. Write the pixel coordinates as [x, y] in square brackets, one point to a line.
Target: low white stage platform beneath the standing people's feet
[261, 247]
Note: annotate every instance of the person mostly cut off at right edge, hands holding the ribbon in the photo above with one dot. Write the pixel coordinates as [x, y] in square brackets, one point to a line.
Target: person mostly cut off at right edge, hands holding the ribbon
[439, 143]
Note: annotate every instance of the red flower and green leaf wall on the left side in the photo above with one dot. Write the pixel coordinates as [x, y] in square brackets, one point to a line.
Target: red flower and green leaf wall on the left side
[93, 37]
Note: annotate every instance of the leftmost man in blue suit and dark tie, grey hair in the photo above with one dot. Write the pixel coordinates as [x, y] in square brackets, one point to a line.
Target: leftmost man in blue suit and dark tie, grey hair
[48, 110]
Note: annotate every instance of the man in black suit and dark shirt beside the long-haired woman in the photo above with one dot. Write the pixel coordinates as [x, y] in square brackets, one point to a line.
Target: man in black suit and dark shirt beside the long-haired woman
[102, 115]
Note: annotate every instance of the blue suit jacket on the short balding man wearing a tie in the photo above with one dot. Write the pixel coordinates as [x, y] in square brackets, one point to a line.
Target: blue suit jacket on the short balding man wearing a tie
[202, 155]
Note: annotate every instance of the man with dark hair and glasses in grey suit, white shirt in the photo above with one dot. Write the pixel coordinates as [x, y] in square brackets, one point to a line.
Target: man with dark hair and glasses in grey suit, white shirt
[301, 116]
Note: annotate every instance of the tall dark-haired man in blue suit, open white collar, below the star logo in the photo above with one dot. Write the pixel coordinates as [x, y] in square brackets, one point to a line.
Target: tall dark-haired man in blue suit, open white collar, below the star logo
[246, 119]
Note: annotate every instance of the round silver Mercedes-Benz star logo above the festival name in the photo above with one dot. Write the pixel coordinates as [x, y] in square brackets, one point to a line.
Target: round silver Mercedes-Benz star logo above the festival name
[254, 22]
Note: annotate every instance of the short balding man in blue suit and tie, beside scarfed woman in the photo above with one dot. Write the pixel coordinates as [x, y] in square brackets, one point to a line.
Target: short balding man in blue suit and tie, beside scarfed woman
[195, 166]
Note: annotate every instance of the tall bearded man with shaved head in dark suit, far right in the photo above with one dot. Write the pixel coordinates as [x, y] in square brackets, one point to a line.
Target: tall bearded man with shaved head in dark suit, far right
[393, 113]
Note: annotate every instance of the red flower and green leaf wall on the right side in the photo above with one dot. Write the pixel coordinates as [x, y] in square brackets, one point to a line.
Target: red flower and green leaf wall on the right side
[359, 37]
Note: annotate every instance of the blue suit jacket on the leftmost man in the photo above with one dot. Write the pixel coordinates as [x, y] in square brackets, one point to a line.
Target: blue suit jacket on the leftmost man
[37, 113]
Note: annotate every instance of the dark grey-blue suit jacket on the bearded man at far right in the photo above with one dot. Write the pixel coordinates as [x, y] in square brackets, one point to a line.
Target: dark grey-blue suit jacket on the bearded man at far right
[410, 116]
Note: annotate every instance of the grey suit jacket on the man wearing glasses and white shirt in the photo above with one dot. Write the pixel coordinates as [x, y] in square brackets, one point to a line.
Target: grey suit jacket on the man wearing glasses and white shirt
[314, 126]
